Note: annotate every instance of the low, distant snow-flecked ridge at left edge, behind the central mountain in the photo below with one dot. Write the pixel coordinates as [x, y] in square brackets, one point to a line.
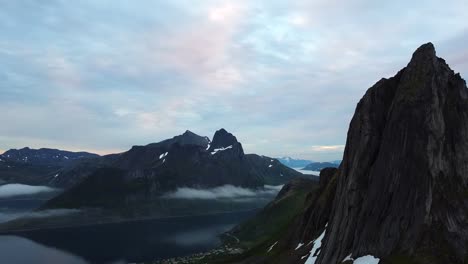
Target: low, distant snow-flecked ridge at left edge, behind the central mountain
[38, 166]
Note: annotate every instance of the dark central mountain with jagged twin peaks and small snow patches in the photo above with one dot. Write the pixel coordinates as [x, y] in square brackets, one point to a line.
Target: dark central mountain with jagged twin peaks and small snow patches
[144, 173]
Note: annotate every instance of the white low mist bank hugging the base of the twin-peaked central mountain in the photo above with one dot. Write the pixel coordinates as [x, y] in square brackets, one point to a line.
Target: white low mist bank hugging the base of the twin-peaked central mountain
[221, 192]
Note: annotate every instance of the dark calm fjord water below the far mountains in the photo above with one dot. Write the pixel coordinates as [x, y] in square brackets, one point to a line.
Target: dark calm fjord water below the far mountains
[133, 241]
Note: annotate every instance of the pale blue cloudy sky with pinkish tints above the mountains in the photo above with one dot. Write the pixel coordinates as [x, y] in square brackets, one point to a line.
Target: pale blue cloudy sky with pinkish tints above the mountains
[283, 76]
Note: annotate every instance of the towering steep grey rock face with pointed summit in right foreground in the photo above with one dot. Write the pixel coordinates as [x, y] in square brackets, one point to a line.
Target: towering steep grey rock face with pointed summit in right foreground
[403, 181]
